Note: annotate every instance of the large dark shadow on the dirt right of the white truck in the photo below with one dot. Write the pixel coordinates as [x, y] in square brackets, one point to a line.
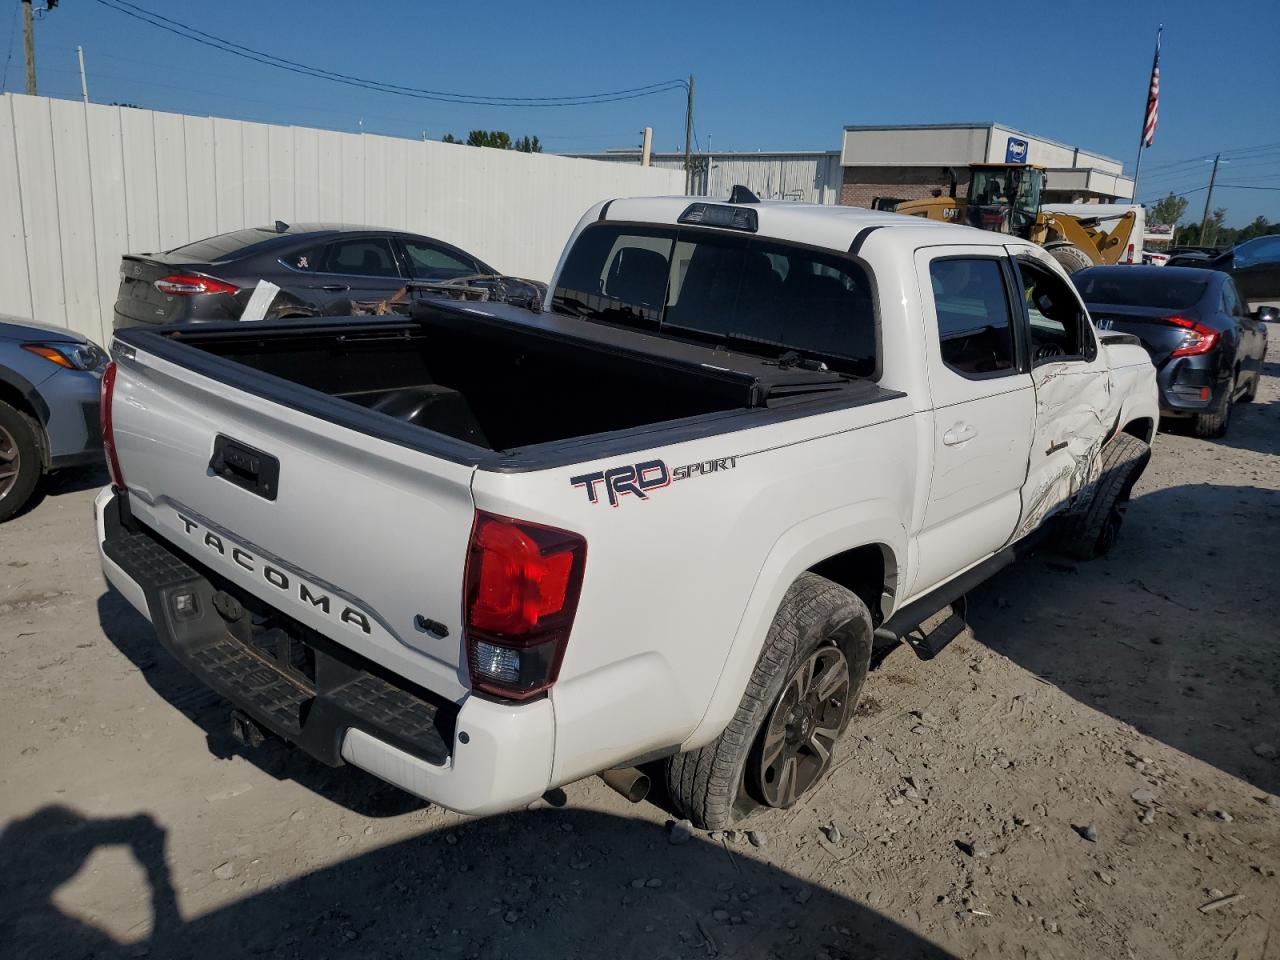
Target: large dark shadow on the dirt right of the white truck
[1177, 632]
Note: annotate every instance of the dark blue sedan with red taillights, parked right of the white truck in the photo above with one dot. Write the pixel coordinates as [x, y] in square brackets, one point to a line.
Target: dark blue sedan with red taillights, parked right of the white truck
[1206, 345]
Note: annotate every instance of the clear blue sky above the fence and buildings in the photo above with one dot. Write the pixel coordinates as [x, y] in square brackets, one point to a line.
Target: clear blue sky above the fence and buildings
[769, 76]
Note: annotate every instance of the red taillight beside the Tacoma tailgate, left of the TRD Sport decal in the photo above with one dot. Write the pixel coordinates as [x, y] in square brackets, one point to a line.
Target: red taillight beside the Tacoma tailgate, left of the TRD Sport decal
[523, 583]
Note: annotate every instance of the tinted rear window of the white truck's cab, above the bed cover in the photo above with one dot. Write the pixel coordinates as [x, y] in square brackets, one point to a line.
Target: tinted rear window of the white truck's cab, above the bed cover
[756, 295]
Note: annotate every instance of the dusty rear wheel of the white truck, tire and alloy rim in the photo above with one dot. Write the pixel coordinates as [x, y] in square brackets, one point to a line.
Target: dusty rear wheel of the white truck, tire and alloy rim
[798, 702]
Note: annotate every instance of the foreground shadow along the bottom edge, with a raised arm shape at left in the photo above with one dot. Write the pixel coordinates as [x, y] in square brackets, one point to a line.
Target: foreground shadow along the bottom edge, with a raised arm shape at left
[543, 885]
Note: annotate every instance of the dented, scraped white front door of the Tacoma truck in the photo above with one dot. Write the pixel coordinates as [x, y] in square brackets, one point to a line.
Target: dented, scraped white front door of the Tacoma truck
[1075, 409]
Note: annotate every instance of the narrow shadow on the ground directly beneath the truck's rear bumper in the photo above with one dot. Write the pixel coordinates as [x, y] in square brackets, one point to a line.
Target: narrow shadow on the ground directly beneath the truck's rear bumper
[349, 787]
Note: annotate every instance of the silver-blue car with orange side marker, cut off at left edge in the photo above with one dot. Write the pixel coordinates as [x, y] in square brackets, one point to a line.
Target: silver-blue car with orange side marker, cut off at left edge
[51, 380]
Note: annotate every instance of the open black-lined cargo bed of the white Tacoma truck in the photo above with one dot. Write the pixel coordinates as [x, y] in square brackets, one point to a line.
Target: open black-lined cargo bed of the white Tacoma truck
[499, 386]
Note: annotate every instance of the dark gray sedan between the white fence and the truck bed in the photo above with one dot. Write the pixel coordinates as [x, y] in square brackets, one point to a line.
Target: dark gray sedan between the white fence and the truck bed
[319, 268]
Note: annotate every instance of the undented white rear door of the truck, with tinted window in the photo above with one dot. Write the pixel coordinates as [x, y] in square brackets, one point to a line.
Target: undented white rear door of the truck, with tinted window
[984, 408]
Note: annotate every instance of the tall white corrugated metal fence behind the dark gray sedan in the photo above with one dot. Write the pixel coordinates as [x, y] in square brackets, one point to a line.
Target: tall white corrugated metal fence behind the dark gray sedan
[84, 185]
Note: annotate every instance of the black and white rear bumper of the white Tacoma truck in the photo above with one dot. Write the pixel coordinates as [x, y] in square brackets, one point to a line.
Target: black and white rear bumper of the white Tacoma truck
[478, 758]
